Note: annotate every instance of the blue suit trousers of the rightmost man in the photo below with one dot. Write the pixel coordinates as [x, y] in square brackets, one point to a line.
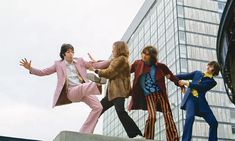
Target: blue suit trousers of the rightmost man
[191, 111]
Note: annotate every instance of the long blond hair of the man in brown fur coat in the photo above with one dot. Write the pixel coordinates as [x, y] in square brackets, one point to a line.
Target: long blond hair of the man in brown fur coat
[121, 48]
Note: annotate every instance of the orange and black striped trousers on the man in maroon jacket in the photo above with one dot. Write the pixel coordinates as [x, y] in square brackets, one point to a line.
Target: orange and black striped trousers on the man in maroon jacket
[171, 131]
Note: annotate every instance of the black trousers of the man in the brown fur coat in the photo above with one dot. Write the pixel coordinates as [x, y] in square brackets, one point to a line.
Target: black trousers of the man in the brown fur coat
[129, 125]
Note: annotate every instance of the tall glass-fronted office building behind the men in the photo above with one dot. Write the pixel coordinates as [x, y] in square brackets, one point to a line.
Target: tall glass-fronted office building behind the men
[185, 33]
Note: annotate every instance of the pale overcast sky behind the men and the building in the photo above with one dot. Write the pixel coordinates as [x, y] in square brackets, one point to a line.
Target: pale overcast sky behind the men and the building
[35, 29]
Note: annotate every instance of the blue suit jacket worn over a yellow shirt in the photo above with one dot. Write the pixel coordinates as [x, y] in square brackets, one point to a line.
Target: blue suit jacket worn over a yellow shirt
[199, 83]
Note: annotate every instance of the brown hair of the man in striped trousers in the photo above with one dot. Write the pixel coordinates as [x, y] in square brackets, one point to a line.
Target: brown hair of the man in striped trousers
[152, 52]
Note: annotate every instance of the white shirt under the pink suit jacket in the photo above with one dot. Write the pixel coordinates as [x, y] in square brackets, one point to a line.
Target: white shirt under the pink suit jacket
[72, 74]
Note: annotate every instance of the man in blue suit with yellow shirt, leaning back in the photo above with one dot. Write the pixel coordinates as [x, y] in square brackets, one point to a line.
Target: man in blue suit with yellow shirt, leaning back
[194, 101]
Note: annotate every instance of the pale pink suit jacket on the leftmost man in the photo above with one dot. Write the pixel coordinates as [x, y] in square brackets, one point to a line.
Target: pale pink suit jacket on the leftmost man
[60, 96]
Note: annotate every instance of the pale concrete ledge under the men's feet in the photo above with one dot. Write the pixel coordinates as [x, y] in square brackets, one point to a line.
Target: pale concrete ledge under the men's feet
[76, 136]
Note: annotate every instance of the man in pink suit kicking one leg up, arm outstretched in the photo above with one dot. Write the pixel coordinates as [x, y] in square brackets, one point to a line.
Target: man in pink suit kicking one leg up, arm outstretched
[73, 84]
